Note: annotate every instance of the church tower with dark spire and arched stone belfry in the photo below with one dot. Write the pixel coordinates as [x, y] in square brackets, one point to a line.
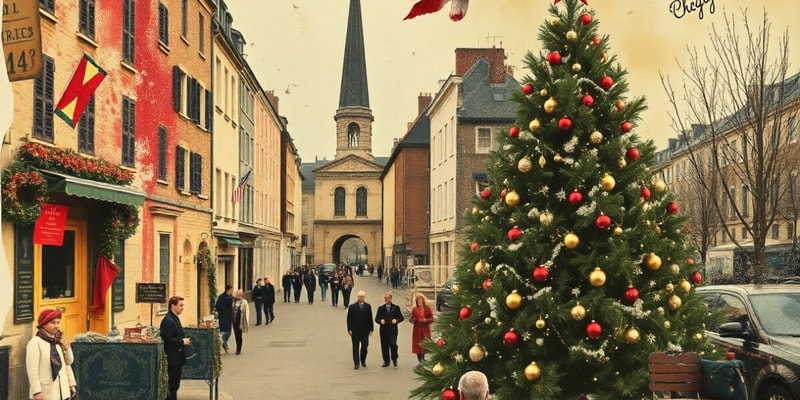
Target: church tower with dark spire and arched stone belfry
[354, 117]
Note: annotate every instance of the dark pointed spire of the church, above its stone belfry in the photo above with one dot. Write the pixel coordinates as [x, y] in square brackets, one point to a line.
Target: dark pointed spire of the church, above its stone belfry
[354, 91]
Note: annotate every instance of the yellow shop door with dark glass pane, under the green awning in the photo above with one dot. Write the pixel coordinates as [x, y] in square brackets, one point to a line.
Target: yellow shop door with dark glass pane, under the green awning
[60, 278]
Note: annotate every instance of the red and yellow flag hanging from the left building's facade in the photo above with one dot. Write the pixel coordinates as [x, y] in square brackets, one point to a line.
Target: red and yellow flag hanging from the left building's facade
[84, 81]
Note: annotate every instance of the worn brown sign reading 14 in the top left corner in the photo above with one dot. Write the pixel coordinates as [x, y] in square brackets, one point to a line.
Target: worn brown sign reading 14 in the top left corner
[22, 39]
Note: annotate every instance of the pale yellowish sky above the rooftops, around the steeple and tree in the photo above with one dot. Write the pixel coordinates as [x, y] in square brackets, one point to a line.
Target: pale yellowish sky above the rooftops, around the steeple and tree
[296, 47]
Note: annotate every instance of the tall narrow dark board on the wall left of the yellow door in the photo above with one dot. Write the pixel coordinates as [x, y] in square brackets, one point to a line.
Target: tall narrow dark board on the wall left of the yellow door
[23, 256]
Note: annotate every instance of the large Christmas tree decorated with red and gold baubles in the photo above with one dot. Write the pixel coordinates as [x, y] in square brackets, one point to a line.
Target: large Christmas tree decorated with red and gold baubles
[577, 265]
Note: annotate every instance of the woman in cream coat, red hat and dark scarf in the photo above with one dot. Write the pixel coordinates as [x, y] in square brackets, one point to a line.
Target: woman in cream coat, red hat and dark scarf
[48, 360]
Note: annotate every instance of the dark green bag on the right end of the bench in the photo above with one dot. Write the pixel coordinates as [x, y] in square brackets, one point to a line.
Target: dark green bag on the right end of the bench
[723, 380]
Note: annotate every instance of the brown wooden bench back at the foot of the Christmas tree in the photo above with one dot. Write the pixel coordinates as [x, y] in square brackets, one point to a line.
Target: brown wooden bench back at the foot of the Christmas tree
[675, 373]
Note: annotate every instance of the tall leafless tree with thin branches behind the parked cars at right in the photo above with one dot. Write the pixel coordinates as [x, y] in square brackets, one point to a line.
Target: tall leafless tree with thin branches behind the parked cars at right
[739, 104]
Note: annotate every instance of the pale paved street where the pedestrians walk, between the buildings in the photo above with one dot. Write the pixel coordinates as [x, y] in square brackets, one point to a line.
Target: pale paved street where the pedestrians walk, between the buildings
[306, 354]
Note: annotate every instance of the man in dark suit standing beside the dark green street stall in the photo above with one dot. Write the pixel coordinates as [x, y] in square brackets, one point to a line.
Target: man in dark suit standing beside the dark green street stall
[172, 335]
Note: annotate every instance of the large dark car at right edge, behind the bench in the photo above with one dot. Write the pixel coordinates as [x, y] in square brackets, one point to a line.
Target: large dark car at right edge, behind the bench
[761, 326]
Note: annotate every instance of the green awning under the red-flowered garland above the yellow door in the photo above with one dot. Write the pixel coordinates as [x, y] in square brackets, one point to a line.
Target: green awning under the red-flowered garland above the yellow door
[87, 188]
